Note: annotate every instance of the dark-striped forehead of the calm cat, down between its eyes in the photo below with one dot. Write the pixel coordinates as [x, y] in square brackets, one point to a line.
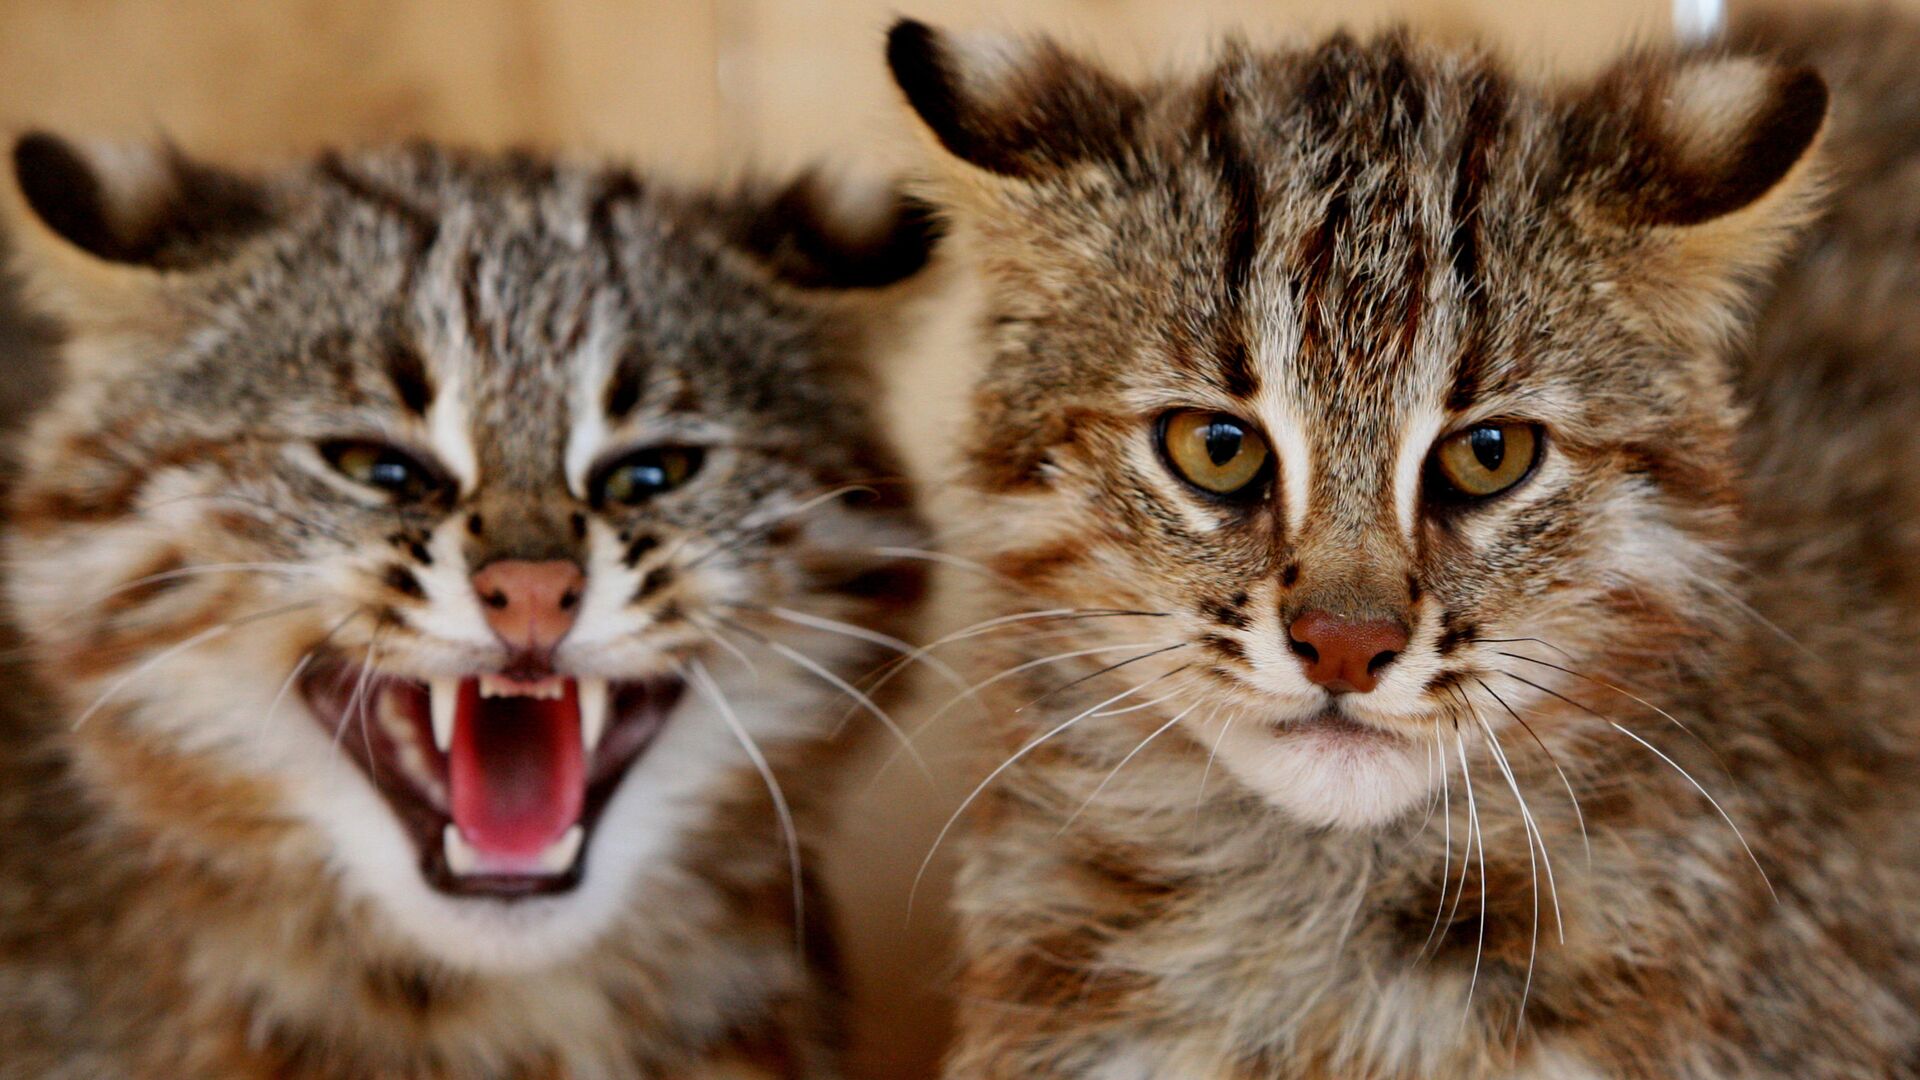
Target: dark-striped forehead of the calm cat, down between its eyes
[1353, 189]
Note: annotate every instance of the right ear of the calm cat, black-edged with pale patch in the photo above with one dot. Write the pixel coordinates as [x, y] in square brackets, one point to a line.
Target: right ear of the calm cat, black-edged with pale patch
[1710, 162]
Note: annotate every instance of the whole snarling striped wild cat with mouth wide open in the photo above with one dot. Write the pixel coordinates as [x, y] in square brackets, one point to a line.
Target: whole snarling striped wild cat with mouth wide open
[435, 576]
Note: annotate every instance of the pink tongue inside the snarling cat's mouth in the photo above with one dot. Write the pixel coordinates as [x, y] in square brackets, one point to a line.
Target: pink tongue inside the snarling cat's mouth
[516, 770]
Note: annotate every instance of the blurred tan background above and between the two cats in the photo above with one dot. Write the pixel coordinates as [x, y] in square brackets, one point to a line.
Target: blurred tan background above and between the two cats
[700, 89]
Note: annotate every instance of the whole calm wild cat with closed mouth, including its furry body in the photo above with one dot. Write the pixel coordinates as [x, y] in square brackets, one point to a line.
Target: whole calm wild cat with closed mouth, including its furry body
[1439, 645]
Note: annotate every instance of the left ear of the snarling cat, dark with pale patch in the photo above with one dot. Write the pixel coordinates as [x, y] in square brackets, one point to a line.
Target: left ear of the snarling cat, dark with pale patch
[97, 228]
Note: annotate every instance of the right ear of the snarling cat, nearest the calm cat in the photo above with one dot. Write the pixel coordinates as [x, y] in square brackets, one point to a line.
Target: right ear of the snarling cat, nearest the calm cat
[832, 235]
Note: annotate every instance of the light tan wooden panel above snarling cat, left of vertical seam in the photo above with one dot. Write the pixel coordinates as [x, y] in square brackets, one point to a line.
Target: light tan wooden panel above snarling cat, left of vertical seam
[264, 78]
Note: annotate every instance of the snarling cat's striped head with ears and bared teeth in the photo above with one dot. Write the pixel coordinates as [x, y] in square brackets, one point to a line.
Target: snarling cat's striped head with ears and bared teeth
[396, 510]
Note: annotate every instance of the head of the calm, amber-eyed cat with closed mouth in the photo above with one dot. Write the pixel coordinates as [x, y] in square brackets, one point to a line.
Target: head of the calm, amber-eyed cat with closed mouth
[1358, 364]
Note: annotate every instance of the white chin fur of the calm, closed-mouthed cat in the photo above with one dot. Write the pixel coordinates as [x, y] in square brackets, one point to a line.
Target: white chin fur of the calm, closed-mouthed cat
[1326, 779]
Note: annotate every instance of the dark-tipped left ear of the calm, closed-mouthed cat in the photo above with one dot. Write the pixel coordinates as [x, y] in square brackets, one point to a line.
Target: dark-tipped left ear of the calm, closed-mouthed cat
[1015, 109]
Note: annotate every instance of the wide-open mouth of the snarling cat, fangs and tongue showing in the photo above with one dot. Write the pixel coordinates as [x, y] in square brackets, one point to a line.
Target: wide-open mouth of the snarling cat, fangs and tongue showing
[498, 781]
